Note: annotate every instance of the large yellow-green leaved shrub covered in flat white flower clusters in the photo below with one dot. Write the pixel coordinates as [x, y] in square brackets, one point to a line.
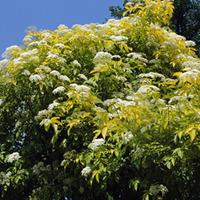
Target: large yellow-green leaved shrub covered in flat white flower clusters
[102, 111]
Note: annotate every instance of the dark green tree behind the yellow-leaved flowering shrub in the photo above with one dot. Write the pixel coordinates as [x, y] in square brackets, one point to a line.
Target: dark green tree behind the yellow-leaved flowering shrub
[185, 20]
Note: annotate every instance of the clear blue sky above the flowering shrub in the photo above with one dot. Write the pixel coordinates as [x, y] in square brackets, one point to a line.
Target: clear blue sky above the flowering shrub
[17, 15]
